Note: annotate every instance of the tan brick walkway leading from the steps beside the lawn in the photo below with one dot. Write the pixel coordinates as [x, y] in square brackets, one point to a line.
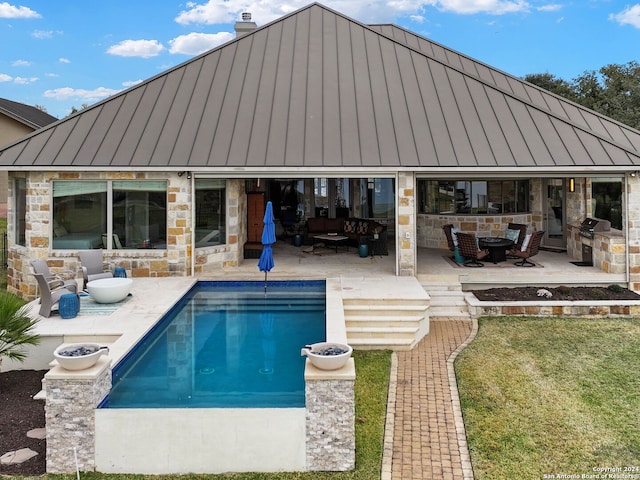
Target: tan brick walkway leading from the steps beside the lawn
[427, 440]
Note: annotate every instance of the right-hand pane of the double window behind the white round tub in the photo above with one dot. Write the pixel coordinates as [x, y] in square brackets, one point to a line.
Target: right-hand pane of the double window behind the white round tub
[139, 214]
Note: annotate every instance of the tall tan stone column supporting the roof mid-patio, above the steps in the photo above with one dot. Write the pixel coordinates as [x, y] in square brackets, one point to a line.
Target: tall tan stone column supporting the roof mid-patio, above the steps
[406, 234]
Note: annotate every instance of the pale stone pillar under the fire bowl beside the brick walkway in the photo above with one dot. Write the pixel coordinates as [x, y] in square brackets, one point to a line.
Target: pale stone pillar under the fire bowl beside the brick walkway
[330, 416]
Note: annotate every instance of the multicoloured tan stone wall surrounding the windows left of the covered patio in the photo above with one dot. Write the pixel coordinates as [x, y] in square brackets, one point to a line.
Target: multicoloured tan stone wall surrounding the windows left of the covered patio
[175, 260]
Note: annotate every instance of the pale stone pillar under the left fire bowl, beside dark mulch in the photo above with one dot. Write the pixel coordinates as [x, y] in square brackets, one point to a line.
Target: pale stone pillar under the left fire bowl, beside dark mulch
[72, 398]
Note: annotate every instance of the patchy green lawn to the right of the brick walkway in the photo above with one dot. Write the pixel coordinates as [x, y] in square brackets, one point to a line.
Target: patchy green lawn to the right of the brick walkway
[551, 396]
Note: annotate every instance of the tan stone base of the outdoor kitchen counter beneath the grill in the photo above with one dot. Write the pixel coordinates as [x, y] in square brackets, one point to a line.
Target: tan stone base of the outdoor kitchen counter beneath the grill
[609, 249]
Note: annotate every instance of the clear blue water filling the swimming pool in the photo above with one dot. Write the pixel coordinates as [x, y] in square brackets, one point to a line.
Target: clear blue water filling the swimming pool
[225, 344]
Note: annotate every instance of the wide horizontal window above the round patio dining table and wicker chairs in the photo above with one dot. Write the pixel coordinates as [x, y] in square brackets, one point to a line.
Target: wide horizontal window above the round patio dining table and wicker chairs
[477, 197]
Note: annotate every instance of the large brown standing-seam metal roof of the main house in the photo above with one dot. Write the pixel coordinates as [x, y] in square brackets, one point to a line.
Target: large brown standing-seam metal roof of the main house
[316, 90]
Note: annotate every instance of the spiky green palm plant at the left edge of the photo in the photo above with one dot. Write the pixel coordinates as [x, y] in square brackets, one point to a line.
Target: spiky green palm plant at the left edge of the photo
[16, 327]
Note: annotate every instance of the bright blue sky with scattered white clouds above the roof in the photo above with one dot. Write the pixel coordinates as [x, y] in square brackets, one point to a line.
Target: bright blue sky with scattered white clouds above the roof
[61, 54]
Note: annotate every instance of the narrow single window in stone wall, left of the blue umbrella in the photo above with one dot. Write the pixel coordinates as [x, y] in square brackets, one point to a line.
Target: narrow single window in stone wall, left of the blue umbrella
[210, 213]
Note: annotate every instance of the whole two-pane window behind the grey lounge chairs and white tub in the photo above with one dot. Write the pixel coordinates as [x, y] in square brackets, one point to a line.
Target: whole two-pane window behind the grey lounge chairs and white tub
[109, 214]
